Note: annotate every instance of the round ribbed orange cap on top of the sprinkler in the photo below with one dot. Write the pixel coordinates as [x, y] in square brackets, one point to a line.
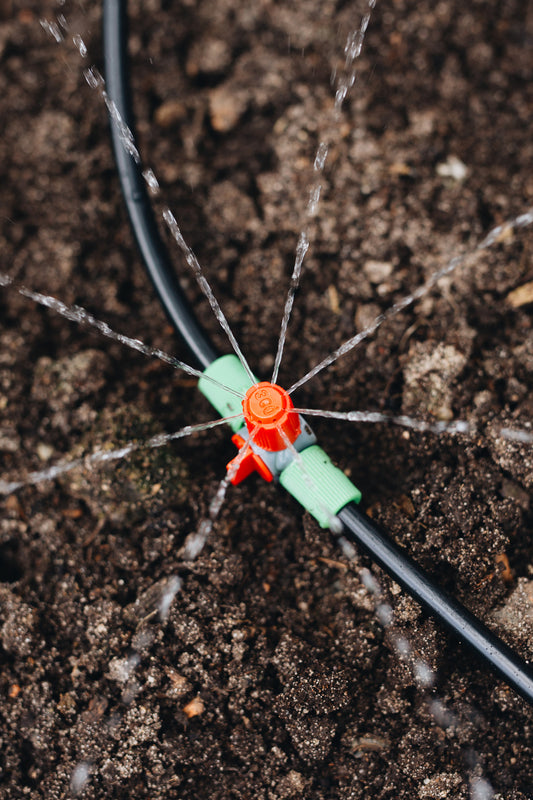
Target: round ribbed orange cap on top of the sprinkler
[267, 410]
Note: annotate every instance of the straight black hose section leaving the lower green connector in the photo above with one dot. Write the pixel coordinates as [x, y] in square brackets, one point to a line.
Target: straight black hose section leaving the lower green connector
[363, 532]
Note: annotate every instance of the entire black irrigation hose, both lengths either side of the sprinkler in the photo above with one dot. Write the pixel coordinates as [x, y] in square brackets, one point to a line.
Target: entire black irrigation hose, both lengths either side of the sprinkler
[358, 528]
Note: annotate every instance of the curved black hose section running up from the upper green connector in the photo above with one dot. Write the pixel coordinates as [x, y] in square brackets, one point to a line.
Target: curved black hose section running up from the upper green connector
[152, 249]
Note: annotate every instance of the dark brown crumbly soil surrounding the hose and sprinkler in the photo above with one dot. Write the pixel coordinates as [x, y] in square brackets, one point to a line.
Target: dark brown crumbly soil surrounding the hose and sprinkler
[270, 675]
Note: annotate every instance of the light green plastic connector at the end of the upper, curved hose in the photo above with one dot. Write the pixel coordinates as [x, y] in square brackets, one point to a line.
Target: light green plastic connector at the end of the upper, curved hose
[229, 371]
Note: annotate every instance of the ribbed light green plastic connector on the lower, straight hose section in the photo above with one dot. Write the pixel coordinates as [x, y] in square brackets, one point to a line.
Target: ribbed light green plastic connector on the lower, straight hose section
[323, 489]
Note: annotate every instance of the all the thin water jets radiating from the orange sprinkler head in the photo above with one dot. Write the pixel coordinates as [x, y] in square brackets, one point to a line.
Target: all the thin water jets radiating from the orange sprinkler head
[480, 788]
